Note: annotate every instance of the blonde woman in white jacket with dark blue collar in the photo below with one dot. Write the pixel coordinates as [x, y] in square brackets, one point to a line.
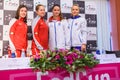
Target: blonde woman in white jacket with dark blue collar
[77, 29]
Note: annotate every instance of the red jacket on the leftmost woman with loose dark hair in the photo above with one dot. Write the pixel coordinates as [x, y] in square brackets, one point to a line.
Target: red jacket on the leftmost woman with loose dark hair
[18, 34]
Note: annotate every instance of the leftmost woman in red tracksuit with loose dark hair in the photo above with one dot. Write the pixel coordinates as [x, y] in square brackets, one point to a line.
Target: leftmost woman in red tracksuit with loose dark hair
[18, 31]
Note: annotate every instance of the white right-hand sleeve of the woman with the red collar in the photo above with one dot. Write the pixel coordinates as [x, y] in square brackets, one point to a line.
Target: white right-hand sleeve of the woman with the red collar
[66, 33]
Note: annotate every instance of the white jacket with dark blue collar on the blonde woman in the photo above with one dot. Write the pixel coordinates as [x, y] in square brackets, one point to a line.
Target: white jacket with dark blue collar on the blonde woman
[77, 30]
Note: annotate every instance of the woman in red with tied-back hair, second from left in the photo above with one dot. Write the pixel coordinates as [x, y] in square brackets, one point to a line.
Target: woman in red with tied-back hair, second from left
[40, 31]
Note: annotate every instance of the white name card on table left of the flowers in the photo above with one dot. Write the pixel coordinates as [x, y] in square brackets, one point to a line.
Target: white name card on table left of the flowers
[14, 63]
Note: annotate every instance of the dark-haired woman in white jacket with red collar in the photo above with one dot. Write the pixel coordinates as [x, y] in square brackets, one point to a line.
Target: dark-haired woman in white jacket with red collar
[56, 29]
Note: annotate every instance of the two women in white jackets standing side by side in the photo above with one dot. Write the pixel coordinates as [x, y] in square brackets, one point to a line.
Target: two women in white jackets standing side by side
[67, 34]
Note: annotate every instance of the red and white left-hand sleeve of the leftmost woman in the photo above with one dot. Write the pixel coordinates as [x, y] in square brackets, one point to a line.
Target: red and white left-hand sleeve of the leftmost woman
[12, 26]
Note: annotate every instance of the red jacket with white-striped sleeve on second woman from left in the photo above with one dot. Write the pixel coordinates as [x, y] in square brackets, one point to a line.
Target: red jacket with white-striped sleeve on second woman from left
[40, 34]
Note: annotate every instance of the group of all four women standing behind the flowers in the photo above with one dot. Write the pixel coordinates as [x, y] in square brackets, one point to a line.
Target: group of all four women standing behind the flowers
[55, 33]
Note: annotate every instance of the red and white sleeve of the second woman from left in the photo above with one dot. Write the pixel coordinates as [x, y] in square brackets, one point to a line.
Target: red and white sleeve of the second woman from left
[35, 31]
